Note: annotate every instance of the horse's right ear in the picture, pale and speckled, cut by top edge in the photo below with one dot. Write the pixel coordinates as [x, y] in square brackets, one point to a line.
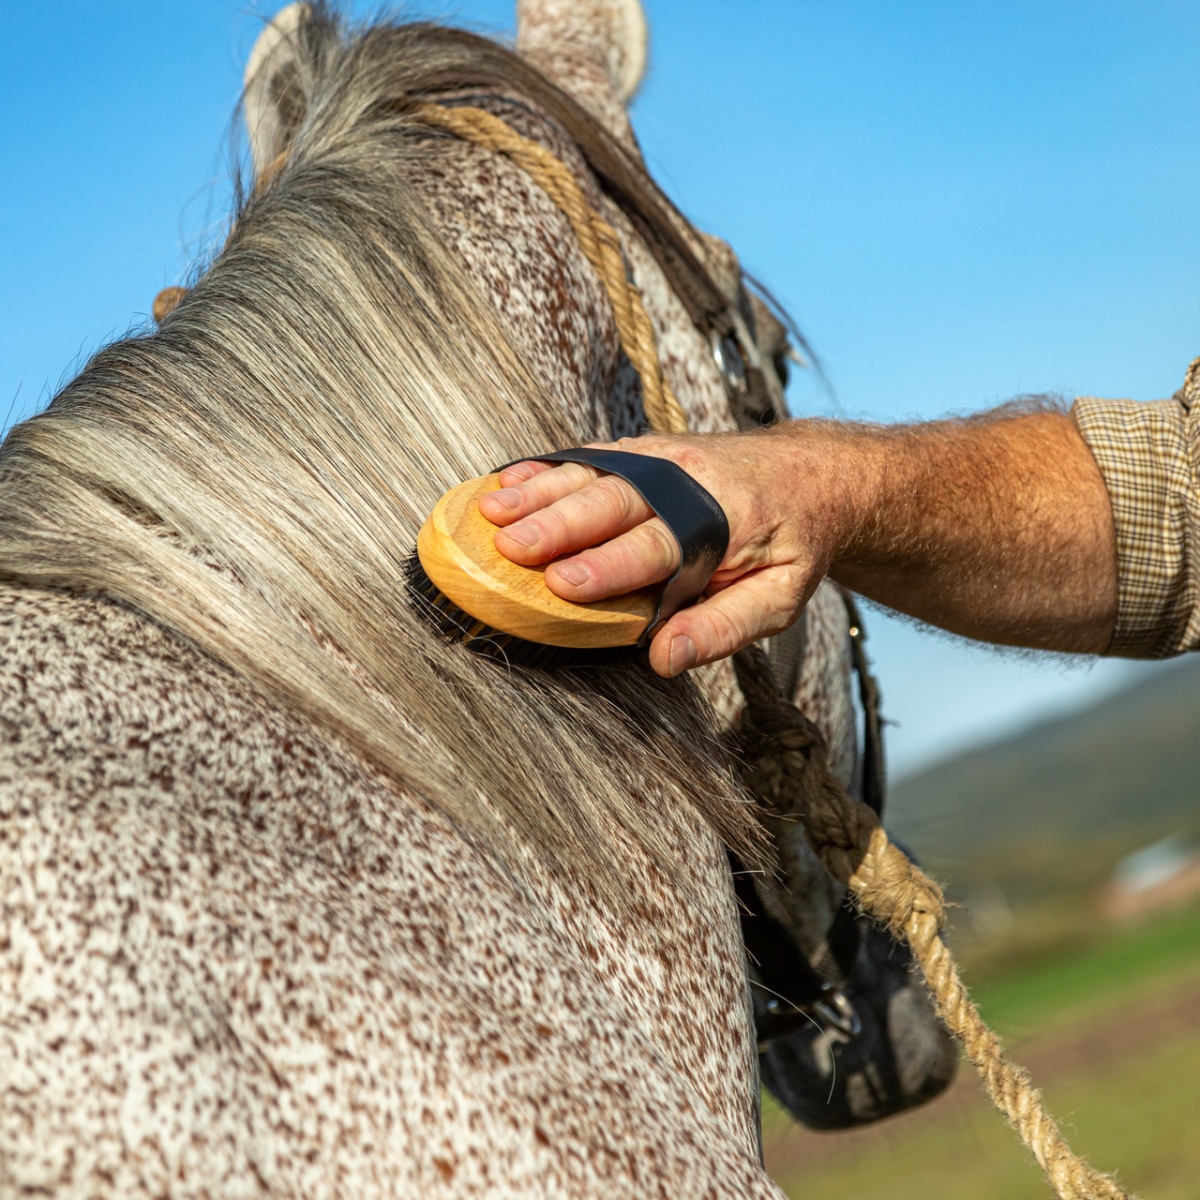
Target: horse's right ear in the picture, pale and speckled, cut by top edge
[611, 33]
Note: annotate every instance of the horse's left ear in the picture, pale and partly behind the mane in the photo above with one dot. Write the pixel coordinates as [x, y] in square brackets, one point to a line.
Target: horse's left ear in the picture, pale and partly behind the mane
[274, 99]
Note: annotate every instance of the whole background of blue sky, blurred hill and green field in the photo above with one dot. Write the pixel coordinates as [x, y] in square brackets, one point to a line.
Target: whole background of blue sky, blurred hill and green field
[959, 205]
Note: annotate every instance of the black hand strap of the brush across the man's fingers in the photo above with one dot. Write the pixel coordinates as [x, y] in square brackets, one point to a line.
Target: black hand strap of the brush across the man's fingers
[695, 520]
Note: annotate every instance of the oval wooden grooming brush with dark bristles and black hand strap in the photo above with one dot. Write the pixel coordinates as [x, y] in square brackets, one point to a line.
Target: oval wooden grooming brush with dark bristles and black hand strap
[475, 596]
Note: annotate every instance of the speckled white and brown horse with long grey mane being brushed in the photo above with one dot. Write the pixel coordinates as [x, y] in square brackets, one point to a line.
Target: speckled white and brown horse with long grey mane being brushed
[299, 899]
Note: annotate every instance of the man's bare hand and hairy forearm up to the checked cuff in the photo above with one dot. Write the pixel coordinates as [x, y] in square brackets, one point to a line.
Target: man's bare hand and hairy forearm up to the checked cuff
[998, 529]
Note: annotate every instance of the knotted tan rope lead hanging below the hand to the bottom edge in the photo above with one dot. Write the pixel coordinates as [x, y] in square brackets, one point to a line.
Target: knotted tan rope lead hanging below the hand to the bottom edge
[785, 767]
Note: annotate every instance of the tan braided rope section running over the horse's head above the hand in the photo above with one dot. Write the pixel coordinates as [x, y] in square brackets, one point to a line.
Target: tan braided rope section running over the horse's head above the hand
[597, 238]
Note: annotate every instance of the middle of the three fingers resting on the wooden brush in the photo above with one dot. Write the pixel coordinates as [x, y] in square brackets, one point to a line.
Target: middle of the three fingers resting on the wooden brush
[604, 509]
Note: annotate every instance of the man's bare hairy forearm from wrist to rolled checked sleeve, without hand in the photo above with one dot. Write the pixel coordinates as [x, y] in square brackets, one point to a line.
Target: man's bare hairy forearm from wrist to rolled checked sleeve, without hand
[997, 529]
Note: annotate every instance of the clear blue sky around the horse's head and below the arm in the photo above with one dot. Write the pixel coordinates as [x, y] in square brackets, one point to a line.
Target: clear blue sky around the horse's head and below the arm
[959, 203]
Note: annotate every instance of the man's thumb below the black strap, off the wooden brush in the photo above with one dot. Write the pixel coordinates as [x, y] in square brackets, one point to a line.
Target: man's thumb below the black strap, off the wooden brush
[757, 607]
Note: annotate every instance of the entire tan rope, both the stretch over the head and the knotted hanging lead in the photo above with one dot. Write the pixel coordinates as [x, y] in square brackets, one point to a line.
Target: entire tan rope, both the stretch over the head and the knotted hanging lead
[783, 753]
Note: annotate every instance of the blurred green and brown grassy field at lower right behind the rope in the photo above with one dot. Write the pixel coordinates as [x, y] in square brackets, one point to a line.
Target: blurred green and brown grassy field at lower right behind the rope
[1129, 1100]
